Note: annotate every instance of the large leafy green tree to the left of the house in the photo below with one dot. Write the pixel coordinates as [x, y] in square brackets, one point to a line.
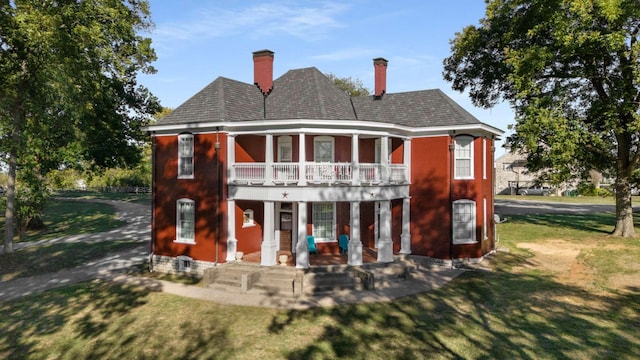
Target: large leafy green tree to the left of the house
[68, 92]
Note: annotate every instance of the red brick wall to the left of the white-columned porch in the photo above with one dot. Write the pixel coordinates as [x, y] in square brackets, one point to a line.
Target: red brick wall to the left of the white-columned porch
[168, 189]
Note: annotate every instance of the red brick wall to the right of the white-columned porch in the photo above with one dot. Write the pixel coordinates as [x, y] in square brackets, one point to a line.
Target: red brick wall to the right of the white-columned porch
[430, 203]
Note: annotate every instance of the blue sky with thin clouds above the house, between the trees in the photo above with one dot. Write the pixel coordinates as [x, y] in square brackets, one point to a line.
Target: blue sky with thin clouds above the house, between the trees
[196, 41]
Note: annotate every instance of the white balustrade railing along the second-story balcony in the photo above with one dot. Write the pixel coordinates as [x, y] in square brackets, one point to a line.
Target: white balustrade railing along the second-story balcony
[323, 173]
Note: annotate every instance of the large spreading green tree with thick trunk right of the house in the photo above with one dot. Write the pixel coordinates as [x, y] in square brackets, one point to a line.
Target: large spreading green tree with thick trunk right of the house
[571, 71]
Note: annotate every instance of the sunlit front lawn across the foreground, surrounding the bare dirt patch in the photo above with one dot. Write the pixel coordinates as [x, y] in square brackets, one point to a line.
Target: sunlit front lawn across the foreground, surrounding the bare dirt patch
[518, 311]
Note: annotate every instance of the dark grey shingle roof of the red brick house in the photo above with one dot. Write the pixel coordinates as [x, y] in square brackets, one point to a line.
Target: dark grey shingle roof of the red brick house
[308, 94]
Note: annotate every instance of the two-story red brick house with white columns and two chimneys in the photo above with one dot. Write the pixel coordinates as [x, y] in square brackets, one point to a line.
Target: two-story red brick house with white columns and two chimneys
[258, 168]
